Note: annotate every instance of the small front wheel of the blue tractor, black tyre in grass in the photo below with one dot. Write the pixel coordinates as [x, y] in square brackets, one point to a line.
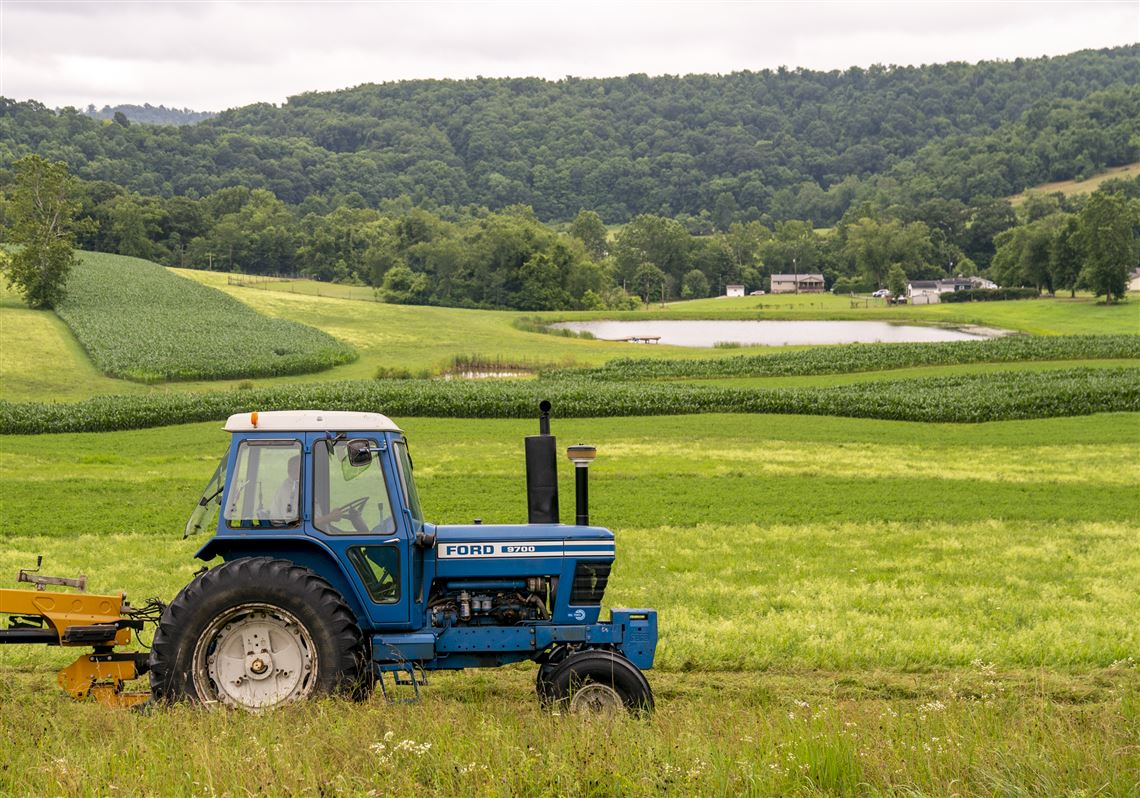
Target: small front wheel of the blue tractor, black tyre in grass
[599, 681]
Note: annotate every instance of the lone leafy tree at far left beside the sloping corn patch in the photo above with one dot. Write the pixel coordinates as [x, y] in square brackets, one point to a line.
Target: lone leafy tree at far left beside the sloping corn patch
[42, 217]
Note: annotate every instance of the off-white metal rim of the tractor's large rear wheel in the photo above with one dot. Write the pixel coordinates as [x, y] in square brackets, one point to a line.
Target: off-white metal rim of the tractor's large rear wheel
[255, 657]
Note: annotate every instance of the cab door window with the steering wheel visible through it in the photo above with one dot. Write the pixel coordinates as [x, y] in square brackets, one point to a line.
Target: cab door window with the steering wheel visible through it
[349, 500]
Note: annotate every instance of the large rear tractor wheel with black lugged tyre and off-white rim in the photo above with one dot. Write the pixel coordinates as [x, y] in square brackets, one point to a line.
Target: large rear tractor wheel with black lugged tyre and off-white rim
[255, 634]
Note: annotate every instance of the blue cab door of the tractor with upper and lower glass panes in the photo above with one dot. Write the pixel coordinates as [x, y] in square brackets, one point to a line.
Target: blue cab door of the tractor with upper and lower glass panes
[355, 511]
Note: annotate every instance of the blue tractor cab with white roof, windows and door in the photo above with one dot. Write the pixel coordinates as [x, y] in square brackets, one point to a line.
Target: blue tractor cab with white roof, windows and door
[335, 487]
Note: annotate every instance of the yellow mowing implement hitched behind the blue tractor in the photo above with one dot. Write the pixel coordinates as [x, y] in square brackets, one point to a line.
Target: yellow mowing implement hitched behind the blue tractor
[79, 620]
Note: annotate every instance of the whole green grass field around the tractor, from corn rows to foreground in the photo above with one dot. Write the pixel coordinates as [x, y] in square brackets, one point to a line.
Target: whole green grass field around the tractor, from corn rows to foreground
[848, 607]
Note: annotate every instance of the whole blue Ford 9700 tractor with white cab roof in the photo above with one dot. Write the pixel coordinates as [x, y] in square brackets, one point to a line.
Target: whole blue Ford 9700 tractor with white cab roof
[333, 582]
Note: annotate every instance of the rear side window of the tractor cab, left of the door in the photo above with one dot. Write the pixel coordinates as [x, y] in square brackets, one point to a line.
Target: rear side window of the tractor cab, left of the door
[266, 490]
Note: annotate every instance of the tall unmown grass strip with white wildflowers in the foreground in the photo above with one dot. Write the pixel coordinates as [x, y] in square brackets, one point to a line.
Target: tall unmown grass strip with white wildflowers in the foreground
[483, 735]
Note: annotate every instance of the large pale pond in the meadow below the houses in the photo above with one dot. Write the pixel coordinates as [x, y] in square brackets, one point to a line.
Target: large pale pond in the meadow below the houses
[771, 333]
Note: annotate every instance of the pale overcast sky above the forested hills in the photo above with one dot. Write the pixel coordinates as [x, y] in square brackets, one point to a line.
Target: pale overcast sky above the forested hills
[210, 56]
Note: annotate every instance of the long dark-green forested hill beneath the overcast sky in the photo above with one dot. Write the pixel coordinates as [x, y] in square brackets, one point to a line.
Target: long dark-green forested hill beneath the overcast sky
[791, 144]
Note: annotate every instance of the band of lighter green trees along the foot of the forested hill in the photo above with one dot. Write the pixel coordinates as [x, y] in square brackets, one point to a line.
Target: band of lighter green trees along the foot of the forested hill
[477, 258]
